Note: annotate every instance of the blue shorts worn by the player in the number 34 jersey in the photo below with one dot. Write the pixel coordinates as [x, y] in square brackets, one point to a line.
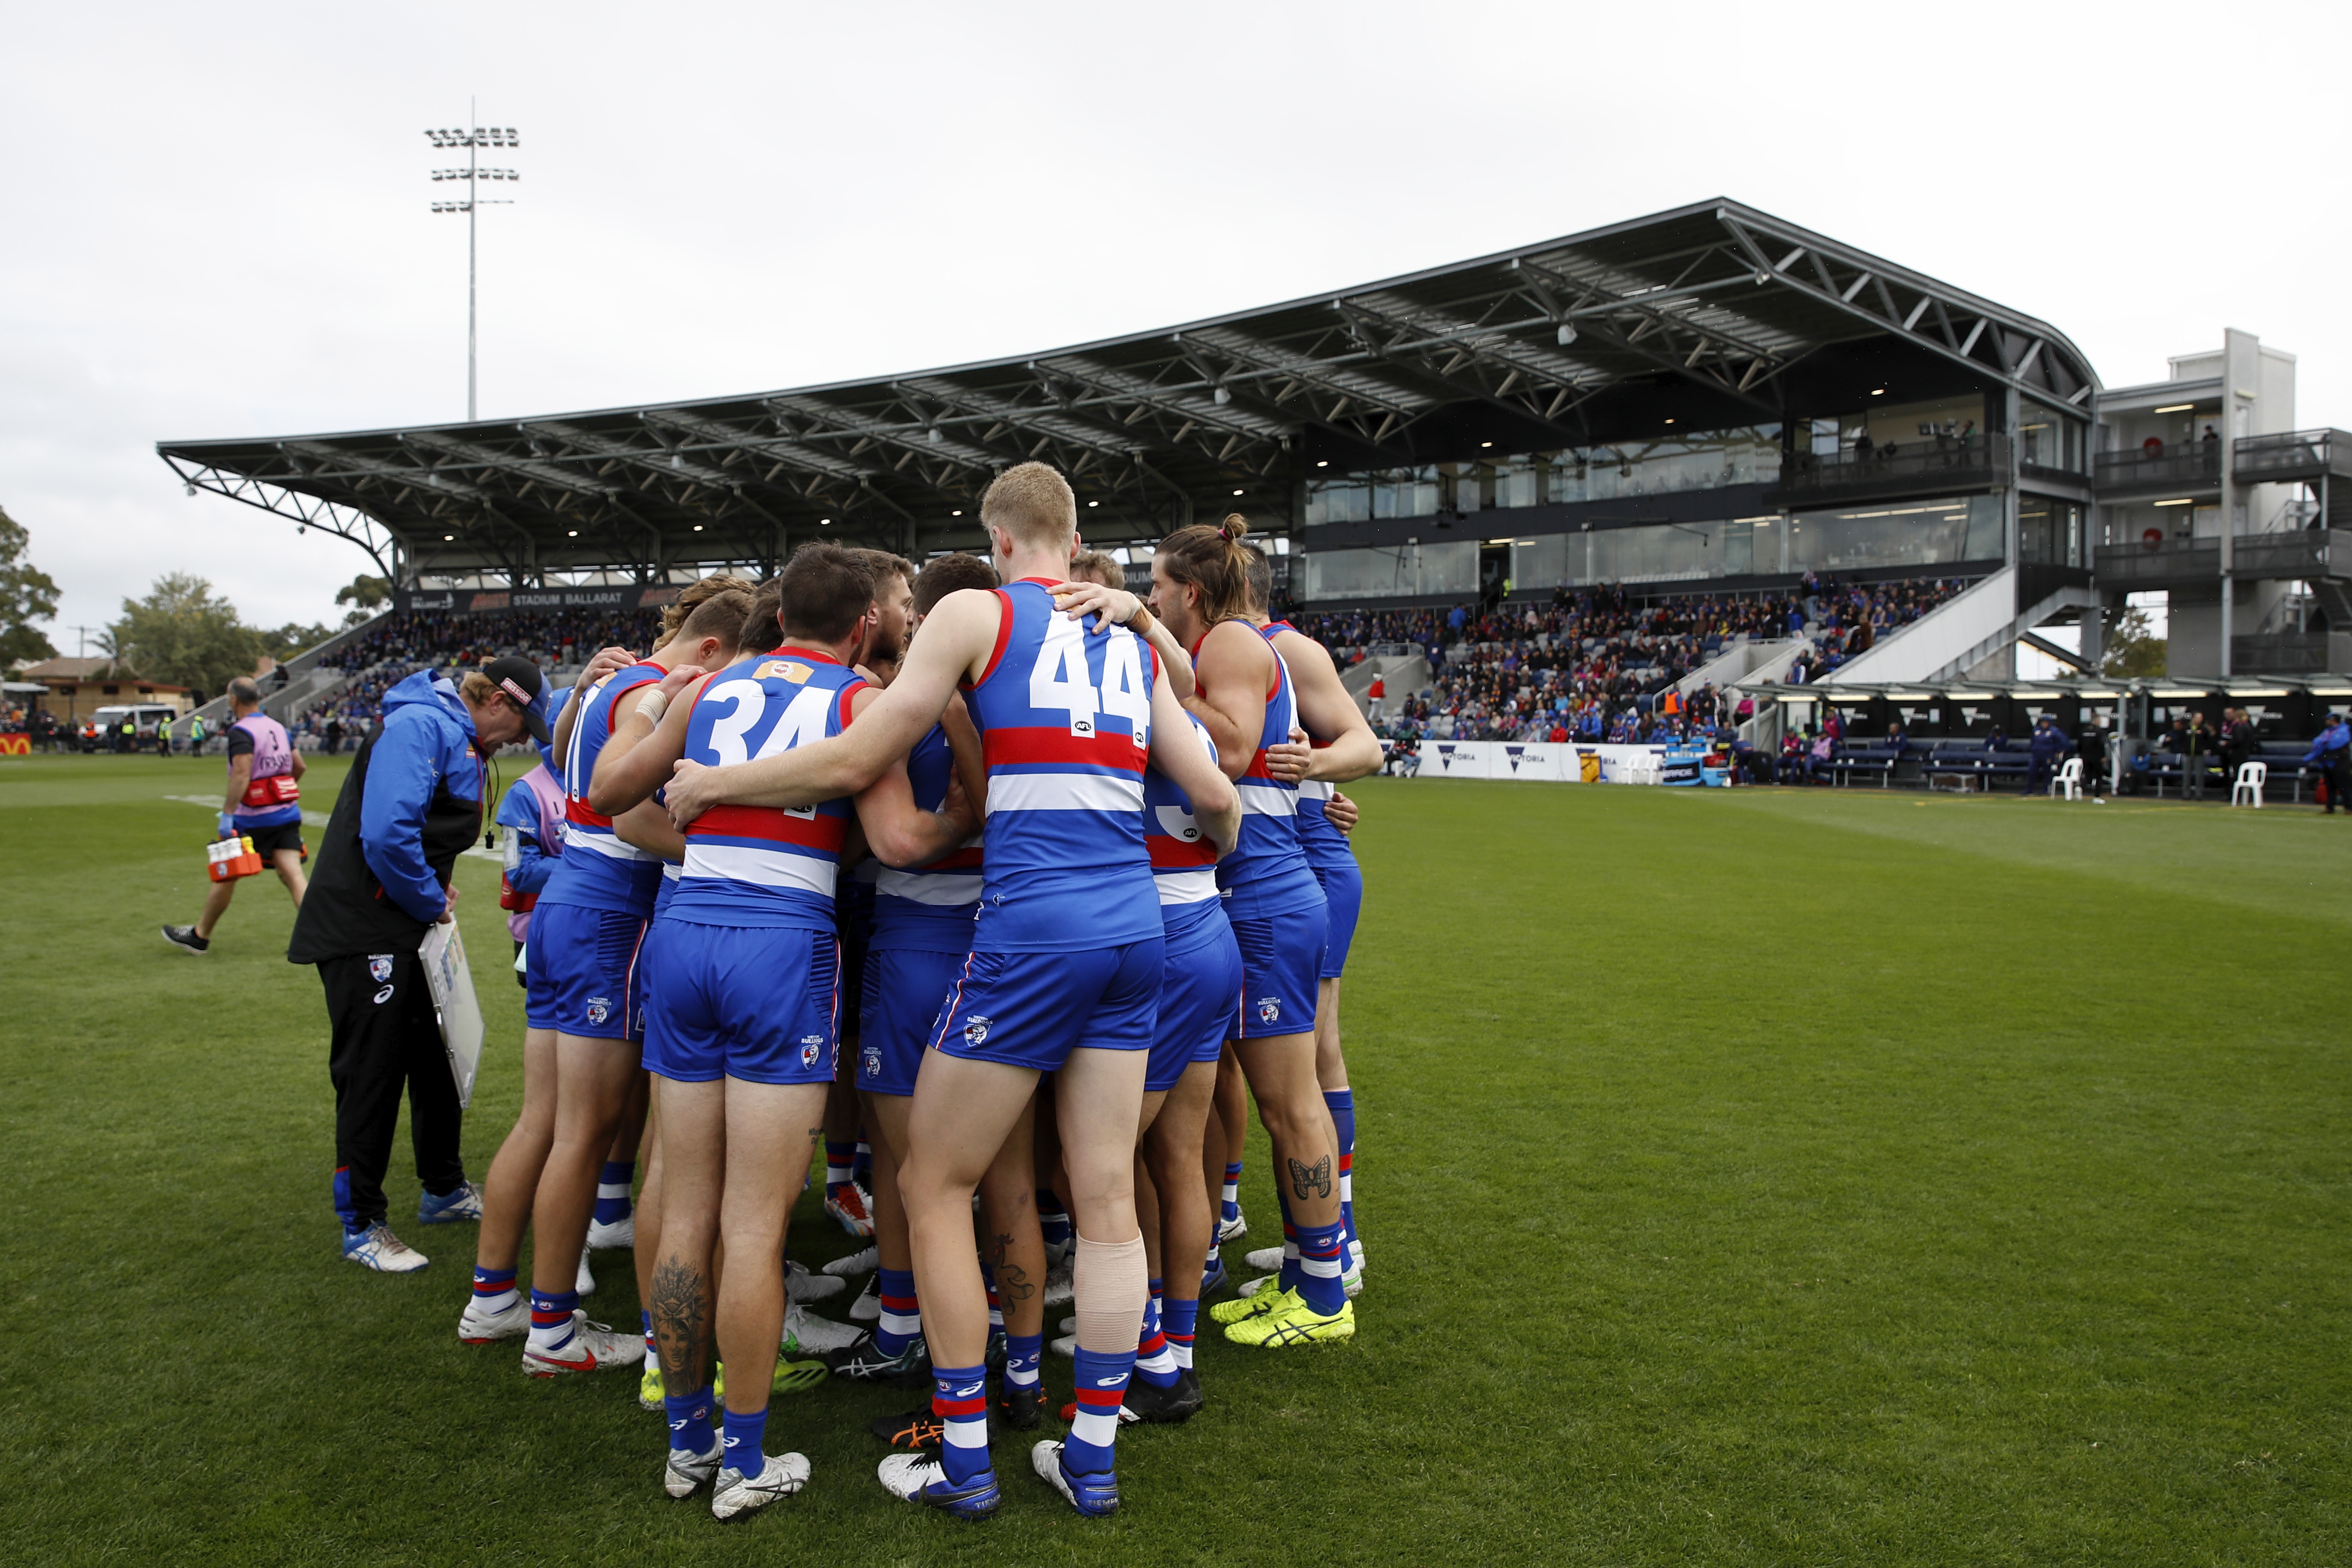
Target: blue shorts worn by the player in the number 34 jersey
[742, 1003]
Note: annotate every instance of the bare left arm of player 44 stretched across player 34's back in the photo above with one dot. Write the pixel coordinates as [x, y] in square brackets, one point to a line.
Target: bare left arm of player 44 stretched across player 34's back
[956, 641]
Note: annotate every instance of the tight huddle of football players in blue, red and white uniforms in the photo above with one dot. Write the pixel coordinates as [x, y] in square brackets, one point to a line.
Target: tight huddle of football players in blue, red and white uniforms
[1001, 885]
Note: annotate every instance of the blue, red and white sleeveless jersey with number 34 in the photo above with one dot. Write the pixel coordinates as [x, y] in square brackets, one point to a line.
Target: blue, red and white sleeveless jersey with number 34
[761, 866]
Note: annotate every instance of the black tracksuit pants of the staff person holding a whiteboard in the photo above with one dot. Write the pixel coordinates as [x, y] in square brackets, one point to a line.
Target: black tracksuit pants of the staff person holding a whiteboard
[387, 1040]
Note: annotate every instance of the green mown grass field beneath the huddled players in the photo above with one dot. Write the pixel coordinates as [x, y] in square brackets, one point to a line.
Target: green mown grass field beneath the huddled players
[1749, 1179]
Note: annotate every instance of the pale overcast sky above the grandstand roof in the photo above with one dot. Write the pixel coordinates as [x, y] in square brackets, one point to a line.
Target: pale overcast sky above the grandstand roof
[220, 217]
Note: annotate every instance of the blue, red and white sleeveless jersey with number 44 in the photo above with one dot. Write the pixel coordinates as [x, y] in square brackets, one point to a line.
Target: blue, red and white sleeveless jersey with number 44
[1067, 728]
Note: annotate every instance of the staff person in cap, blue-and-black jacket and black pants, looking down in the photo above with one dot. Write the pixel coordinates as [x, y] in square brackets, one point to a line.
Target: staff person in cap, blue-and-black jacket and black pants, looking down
[408, 810]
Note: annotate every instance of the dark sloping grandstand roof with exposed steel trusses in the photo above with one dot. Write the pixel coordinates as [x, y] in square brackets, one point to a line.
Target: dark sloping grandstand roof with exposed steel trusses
[1716, 314]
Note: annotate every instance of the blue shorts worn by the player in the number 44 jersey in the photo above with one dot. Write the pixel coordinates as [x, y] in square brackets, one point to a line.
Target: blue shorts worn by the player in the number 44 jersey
[1031, 1010]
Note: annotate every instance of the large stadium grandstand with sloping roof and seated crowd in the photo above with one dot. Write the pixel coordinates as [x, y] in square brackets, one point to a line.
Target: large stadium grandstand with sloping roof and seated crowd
[1535, 492]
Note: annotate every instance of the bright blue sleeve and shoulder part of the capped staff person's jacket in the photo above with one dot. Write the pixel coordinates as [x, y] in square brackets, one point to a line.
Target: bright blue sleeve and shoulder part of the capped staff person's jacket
[427, 749]
